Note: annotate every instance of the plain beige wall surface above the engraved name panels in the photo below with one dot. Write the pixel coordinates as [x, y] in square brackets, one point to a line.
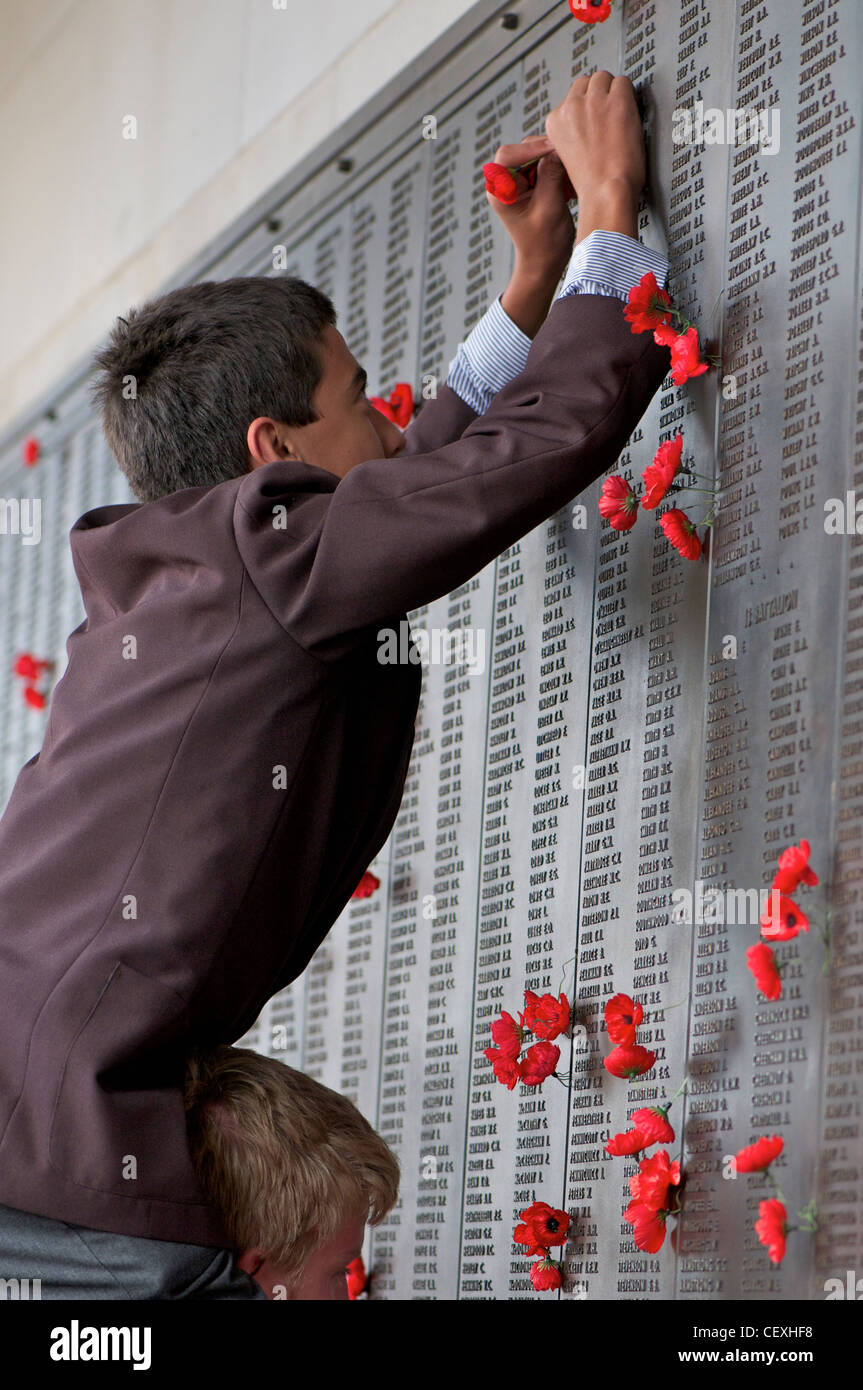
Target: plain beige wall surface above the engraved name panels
[227, 97]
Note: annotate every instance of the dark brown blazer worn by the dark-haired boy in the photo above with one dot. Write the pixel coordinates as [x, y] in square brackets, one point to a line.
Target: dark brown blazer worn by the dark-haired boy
[202, 811]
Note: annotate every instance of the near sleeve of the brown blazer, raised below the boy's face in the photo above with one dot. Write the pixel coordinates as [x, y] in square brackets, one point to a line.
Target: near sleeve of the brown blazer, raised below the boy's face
[391, 539]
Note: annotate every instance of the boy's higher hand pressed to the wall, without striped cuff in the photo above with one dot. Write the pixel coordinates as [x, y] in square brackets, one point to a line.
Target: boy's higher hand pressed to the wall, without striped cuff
[598, 134]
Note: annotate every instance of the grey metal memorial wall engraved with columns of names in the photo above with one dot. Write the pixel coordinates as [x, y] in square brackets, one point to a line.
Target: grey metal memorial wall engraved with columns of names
[639, 736]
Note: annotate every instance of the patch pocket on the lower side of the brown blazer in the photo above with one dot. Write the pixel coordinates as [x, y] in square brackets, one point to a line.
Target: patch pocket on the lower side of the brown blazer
[119, 1122]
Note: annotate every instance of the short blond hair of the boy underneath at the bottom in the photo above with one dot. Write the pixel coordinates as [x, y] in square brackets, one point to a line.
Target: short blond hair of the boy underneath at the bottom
[283, 1159]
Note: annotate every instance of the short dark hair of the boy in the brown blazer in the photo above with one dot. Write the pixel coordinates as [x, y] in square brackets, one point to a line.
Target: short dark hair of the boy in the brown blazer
[181, 382]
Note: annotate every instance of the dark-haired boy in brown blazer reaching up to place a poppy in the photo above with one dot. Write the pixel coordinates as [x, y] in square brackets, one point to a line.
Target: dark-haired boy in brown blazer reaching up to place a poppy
[226, 754]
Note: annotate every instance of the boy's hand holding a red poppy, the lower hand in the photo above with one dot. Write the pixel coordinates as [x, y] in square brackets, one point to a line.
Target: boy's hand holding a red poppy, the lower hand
[540, 223]
